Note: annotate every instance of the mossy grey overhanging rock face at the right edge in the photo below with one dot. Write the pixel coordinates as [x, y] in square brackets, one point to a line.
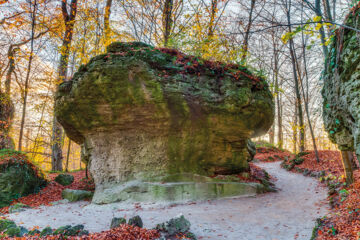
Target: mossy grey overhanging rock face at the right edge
[341, 92]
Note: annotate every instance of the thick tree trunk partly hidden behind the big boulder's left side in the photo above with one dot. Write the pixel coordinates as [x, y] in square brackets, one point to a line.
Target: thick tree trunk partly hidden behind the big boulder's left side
[69, 20]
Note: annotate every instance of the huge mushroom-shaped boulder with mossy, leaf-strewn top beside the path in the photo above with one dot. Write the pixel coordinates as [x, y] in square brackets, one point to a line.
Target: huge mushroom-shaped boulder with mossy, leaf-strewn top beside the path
[155, 123]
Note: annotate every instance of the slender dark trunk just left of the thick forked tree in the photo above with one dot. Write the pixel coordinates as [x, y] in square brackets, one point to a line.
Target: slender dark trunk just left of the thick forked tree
[26, 89]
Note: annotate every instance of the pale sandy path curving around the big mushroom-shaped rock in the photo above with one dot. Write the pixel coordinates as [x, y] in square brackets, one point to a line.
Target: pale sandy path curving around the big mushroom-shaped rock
[285, 215]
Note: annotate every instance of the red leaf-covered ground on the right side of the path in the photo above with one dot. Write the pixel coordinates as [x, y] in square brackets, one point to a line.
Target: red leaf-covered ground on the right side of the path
[343, 221]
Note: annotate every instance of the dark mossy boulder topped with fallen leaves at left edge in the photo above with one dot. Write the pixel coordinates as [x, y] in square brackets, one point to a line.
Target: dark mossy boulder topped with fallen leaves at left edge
[18, 177]
